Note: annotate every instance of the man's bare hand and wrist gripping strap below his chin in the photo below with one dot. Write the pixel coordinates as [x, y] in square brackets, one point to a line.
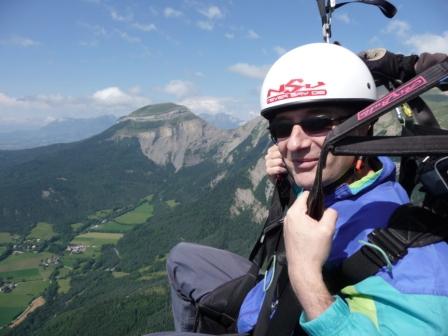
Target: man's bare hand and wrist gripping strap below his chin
[308, 244]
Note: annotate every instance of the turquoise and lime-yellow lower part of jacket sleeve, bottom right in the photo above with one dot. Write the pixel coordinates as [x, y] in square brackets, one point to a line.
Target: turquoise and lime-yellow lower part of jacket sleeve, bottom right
[374, 307]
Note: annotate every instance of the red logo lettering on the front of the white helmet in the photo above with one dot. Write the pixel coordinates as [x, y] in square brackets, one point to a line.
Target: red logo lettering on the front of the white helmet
[296, 88]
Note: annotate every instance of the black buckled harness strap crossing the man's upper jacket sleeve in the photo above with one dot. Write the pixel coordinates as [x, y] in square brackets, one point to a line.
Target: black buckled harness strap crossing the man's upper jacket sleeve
[409, 226]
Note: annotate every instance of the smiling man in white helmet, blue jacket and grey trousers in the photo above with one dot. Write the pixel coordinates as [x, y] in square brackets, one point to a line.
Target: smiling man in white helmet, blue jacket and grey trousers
[306, 93]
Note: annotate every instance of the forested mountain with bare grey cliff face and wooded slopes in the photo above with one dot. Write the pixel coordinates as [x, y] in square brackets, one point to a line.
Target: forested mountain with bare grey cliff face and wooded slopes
[196, 182]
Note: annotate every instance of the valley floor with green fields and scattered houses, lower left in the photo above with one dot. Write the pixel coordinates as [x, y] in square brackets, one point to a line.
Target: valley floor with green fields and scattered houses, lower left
[30, 265]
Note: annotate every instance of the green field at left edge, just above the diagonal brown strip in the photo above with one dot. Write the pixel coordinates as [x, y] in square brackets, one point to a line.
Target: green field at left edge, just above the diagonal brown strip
[13, 303]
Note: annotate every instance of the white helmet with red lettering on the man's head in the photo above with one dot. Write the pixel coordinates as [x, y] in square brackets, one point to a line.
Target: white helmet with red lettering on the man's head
[316, 73]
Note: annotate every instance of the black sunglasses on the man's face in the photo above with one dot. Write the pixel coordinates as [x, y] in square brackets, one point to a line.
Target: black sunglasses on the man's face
[282, 128]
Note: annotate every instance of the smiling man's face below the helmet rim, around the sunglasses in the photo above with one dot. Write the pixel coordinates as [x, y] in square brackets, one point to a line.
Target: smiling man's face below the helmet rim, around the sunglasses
[301, 149]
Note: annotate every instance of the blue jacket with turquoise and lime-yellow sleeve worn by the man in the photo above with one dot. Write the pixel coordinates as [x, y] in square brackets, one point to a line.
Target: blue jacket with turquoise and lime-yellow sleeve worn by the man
[411, 299]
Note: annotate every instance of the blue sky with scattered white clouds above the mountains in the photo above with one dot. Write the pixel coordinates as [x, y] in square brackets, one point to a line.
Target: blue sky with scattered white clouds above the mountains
[85, 58]
